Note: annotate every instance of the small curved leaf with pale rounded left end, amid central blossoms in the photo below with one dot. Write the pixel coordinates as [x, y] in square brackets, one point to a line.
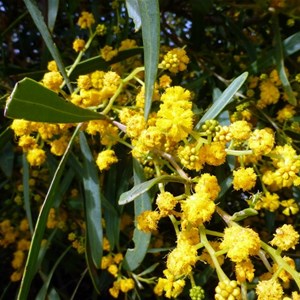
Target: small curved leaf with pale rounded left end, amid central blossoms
[143, 187]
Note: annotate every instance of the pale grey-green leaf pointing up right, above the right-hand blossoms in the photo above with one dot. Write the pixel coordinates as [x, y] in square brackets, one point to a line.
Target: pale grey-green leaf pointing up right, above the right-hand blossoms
[224, 99]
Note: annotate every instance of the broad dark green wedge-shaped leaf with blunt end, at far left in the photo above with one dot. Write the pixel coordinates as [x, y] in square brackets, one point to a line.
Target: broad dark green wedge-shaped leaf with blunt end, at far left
[33, 102]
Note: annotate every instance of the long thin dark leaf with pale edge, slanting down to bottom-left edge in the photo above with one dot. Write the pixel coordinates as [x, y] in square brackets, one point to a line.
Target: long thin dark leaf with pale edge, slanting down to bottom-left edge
[32, 258]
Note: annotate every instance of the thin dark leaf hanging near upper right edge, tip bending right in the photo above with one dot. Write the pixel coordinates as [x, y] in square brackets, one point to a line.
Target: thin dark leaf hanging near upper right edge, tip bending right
[280, 62]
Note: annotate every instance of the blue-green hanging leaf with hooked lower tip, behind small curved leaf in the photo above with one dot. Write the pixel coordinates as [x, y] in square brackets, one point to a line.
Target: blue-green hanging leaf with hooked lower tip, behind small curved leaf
[135, 256]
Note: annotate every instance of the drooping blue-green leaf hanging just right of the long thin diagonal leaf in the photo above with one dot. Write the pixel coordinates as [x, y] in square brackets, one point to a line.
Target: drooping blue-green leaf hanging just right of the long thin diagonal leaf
[93, 213]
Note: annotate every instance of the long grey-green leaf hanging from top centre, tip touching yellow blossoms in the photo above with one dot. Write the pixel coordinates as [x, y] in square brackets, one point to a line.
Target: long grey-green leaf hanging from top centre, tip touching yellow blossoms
[150, 16]
